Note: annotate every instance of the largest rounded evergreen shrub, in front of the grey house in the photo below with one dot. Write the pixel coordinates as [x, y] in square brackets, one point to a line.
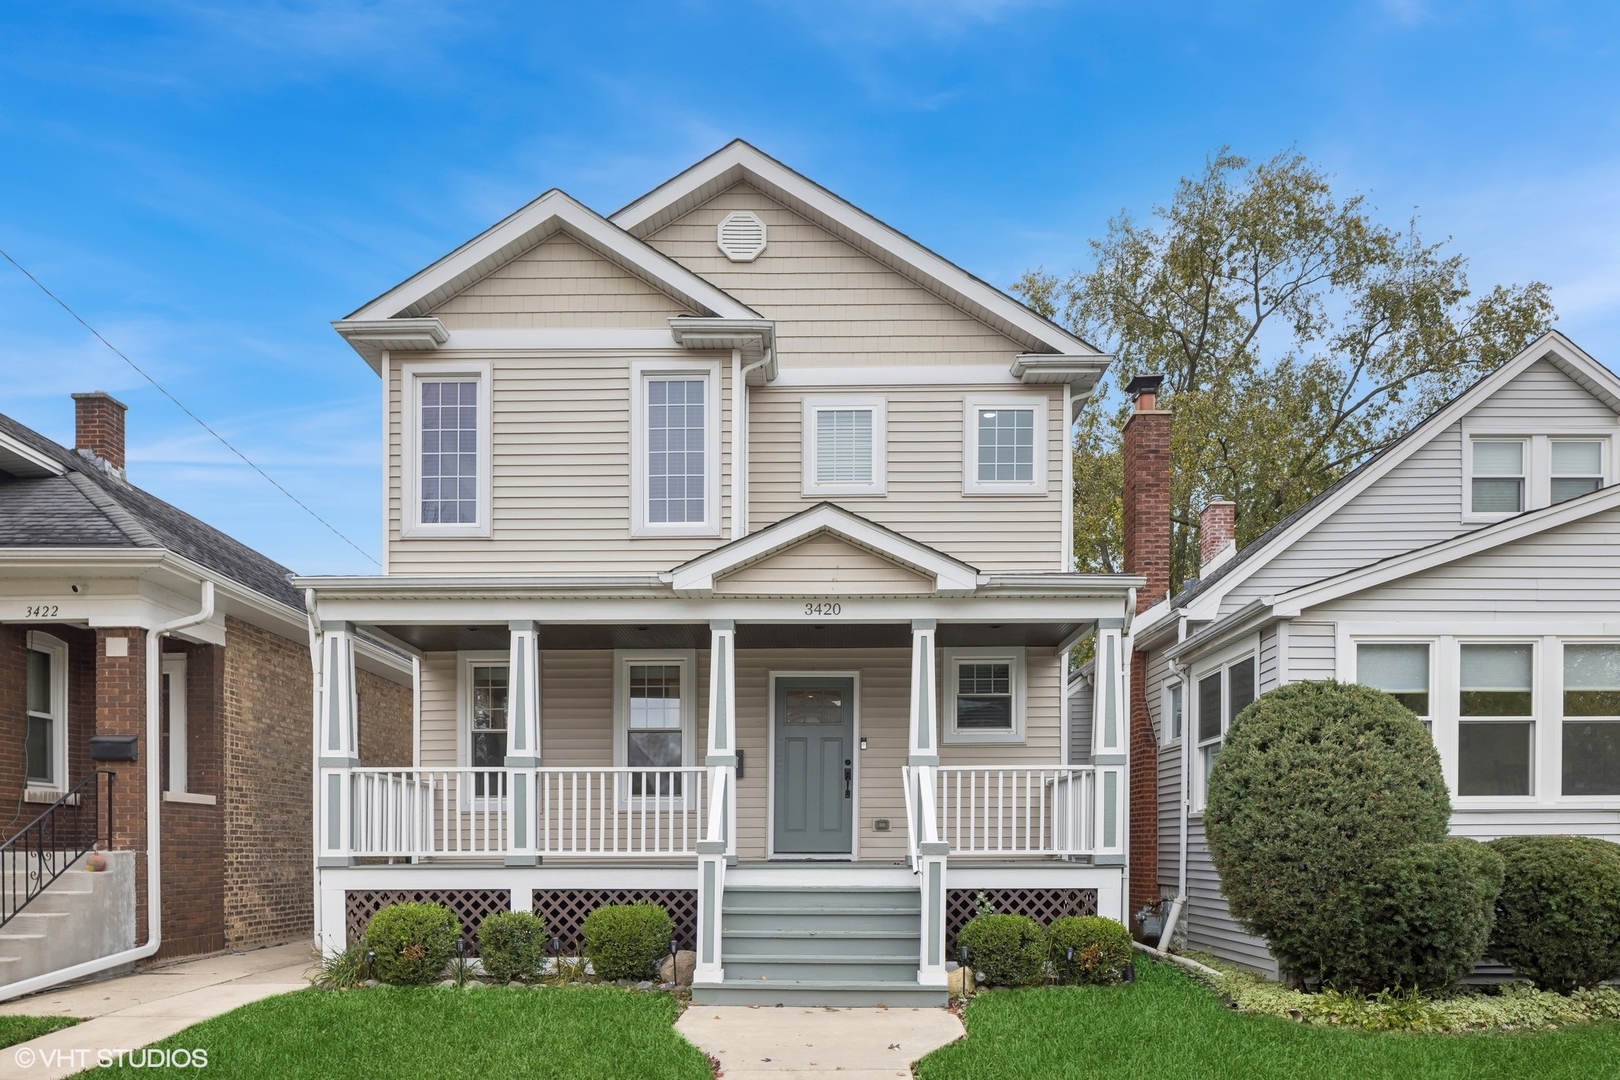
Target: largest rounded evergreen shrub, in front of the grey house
[1316, 784]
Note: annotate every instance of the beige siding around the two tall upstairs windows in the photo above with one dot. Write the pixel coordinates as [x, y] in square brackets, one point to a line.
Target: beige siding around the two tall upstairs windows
[561, 483]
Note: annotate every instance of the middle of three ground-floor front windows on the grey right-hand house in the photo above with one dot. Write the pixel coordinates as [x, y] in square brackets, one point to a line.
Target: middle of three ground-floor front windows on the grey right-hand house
[1496, 733]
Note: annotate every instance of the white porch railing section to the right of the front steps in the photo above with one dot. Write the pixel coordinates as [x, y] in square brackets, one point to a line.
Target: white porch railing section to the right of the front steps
[1017, 812]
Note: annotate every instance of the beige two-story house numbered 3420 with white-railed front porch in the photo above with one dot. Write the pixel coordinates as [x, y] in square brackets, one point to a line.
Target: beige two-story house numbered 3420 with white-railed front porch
[731, 538]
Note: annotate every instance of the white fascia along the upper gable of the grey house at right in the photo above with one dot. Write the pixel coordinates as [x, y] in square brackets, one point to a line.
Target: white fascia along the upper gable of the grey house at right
[1551, 346]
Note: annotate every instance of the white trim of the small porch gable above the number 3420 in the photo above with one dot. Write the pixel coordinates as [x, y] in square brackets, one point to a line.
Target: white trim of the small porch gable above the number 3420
[950, 577]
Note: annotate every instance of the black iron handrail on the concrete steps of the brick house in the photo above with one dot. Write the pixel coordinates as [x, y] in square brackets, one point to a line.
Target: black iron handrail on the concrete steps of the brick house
[53, 843]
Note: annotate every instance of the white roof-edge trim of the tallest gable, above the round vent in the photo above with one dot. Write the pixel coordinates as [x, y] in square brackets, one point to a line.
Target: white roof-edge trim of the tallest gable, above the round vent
[740, 163]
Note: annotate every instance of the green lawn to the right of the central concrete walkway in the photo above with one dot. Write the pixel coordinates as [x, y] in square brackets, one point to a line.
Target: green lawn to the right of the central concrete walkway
[1167, 1026]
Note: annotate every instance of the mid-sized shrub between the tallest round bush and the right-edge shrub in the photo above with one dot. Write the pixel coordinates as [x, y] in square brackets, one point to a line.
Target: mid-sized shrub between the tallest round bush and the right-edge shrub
[1422, 919]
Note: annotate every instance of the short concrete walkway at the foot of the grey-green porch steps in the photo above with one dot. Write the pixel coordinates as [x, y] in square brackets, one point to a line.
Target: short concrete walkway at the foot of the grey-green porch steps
[769, 1044]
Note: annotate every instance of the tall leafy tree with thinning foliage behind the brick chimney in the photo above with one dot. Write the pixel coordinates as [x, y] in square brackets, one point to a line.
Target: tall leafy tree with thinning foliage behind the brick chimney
[1297, 336]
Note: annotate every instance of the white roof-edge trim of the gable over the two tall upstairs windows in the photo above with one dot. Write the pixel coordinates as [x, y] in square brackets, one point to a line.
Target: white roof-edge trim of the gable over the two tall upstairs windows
[403, 318]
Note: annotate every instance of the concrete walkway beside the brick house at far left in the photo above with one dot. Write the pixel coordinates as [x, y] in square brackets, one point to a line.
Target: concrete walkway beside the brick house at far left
[139, 1010]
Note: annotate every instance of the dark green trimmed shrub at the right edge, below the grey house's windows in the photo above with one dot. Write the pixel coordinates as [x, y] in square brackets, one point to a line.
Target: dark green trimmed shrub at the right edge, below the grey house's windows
[1559, 912]
